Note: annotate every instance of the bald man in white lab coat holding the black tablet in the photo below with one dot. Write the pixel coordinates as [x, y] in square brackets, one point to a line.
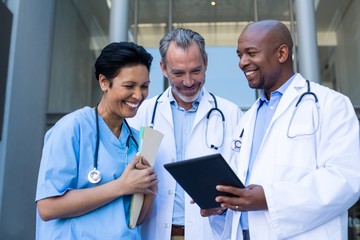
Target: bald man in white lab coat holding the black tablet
[300, 157]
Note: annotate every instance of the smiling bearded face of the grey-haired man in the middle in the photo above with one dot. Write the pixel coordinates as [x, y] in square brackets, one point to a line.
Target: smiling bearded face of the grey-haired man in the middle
[185, 69]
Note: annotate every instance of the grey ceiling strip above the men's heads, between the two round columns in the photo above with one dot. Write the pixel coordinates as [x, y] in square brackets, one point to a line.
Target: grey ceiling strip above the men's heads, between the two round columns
[203, 11]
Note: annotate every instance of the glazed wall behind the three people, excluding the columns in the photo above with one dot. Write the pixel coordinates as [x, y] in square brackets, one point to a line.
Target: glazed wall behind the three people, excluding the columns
[82, 27]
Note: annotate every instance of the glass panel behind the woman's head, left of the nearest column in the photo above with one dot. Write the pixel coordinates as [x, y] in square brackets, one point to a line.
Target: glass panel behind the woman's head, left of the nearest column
[81, 31]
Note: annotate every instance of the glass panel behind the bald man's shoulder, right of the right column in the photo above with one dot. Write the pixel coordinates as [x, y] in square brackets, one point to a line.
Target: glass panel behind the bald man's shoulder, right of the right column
[339, 46]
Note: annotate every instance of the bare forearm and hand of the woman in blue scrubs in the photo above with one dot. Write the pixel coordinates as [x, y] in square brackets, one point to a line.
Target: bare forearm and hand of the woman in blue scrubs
[138, 177]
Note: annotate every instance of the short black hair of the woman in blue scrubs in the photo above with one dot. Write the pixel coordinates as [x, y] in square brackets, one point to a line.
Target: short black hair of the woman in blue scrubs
[118, 55]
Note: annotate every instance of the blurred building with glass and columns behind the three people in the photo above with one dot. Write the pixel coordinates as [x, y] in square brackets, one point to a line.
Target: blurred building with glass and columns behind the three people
[48, 49]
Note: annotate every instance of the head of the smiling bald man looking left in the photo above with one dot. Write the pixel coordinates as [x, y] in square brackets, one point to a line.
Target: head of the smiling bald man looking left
[263, 52]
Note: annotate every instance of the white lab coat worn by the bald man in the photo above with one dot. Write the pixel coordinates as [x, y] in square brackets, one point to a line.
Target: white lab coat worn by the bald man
[309, 181]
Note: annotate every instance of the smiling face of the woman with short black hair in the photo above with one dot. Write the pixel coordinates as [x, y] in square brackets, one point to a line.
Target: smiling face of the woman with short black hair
[128, 90]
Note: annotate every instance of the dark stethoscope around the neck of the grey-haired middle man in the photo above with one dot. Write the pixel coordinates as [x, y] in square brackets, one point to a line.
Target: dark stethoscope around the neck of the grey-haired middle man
[208, 116]
